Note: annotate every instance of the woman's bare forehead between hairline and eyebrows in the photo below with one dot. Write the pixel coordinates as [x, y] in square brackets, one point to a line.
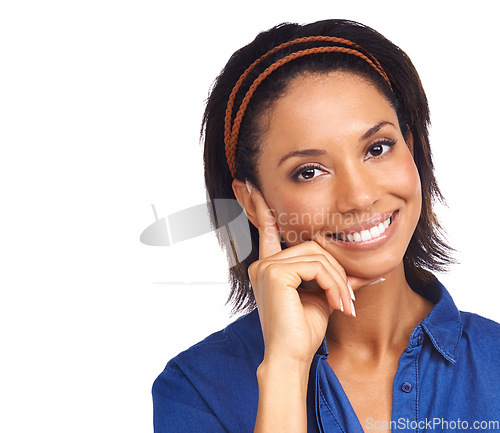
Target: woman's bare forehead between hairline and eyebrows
[333, 106]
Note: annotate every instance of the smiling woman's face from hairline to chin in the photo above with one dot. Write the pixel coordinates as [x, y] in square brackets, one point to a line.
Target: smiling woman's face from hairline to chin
[335, 168]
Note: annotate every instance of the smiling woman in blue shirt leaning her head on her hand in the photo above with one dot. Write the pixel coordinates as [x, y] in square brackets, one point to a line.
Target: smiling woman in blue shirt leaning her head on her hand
[320, 132]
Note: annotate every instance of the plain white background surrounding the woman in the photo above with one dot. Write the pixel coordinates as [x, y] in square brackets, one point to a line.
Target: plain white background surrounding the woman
[101, 104]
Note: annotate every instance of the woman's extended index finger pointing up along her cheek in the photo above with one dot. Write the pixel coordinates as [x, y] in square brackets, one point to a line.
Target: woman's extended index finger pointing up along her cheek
[269, 237]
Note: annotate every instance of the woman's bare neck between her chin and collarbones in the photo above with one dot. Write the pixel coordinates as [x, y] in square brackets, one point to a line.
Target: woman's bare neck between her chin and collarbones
[387, 313]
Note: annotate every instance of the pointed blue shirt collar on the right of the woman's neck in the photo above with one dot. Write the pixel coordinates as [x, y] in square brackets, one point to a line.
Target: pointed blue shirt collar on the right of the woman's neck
[442, 324]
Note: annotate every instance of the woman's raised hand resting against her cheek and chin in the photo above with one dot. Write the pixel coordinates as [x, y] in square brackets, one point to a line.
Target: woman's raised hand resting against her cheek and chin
[294, 319]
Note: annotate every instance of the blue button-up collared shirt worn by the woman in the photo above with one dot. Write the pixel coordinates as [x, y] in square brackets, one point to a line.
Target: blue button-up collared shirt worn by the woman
[448, 379]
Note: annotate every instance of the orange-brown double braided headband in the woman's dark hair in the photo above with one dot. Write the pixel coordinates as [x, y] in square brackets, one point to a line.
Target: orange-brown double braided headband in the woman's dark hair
[231, 133]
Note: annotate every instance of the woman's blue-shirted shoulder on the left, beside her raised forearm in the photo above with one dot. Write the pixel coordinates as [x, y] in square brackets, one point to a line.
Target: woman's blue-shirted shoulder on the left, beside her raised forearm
[214, 379]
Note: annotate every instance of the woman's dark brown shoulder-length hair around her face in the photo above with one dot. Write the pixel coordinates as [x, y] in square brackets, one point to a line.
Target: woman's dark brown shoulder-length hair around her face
[427, 250]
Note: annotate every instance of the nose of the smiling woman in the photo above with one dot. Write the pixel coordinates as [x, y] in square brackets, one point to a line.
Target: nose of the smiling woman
[355, 189]
